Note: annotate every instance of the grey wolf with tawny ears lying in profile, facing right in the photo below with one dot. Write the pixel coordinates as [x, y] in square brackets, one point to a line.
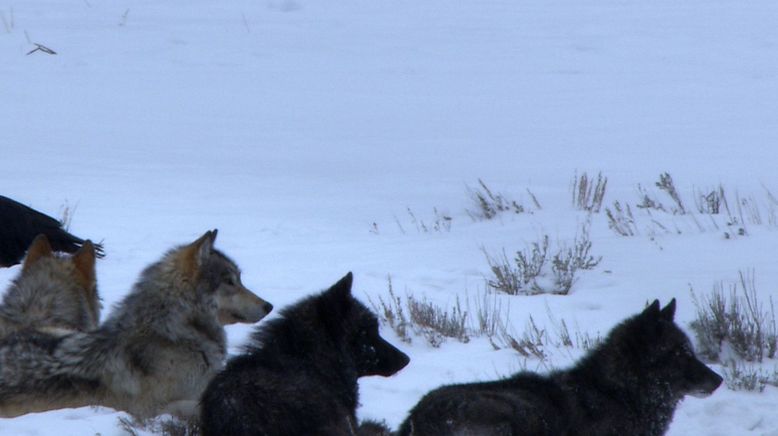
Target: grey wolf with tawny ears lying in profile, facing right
[154, 354]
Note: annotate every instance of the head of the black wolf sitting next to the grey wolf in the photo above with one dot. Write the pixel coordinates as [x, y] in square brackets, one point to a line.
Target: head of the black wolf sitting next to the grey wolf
[349, 322]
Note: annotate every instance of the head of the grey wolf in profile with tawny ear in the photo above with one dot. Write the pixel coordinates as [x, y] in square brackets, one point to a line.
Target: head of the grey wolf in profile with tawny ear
[214, 272]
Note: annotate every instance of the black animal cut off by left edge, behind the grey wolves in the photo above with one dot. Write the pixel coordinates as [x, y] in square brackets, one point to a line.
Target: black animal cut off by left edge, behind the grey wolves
[19, 225]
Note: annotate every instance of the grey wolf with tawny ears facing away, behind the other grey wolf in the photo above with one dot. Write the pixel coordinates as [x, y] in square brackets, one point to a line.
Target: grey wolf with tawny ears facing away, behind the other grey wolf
[52, 292]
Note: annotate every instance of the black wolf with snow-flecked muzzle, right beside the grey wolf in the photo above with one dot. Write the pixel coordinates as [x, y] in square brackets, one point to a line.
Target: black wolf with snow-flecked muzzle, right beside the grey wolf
[298, 375]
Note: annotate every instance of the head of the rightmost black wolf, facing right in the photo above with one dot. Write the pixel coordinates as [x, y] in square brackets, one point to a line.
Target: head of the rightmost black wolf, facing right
[660, 354]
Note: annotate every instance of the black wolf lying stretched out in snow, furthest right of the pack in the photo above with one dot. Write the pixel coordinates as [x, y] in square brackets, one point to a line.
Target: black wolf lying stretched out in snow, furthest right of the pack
[629, 385]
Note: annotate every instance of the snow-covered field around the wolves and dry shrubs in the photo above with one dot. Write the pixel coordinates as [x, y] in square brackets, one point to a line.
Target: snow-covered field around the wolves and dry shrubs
[305, 130]
